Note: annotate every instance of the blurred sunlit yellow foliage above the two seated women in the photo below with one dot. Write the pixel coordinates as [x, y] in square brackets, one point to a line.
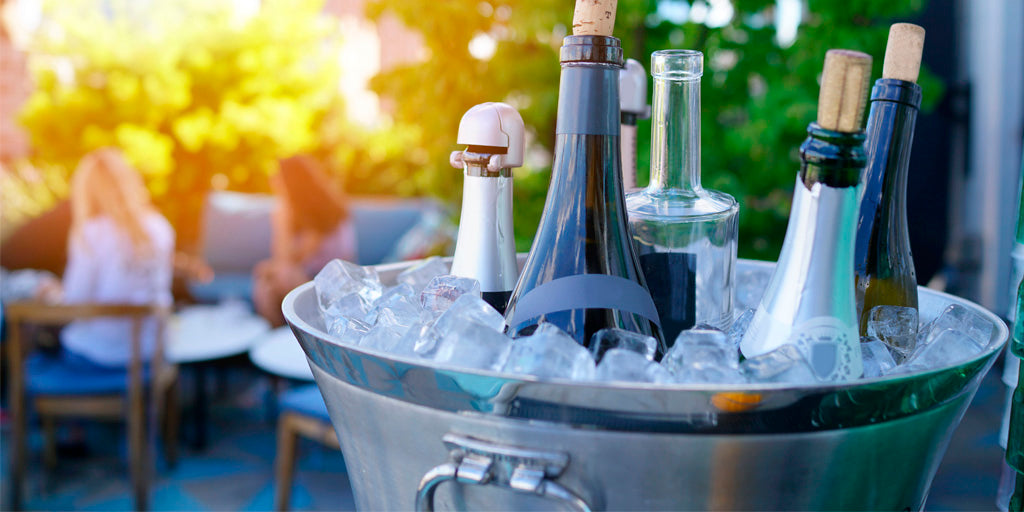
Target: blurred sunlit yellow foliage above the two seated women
[188, 90]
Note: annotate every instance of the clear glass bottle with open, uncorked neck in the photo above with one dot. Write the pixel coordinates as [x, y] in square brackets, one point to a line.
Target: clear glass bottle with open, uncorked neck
[685, 235]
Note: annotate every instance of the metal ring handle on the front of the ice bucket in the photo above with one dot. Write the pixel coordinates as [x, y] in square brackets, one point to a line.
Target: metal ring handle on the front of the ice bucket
[480, 462]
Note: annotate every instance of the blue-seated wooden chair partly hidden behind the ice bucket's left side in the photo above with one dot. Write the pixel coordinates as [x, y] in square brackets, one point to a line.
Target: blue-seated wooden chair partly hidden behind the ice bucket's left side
[303, 413]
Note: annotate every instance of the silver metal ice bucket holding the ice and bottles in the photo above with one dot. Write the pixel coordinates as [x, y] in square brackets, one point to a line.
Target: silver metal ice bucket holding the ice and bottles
[418, 435]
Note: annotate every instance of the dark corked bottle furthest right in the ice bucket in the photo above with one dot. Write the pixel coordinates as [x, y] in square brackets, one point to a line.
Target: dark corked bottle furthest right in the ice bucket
[883, 264]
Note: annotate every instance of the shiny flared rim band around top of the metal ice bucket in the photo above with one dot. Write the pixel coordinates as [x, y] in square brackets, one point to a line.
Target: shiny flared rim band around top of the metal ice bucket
[620, 405]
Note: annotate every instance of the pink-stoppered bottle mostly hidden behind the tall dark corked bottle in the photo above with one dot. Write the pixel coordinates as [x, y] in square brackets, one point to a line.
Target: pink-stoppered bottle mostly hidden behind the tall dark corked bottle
[633, 107]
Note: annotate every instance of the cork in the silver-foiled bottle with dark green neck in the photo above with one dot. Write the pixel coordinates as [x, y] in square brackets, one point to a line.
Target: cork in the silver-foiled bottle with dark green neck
[844, 91]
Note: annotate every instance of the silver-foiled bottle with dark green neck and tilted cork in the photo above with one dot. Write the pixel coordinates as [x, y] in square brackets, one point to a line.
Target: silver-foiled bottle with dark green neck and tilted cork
[809, 302]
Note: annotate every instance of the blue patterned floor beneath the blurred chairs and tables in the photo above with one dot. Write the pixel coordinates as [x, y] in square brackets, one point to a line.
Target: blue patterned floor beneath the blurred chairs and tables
[235, 473]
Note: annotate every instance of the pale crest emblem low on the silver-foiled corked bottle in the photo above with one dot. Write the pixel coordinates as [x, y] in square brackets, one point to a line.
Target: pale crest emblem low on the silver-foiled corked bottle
[831, 347]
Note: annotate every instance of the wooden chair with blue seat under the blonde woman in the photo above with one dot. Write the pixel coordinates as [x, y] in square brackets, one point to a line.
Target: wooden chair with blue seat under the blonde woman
[111, 395]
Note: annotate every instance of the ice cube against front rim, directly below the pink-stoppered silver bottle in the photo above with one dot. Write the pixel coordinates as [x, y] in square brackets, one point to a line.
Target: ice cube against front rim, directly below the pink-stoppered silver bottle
[474, 346]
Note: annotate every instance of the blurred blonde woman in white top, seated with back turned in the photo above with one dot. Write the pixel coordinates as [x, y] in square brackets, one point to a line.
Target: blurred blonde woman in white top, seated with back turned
[120, 249]
